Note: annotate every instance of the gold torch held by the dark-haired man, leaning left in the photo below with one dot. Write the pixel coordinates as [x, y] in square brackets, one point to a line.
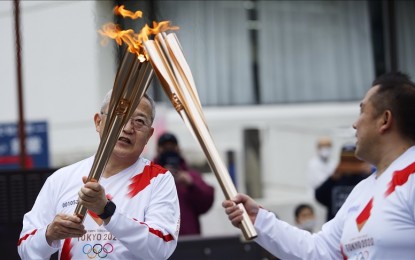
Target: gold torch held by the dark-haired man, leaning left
[169, 64]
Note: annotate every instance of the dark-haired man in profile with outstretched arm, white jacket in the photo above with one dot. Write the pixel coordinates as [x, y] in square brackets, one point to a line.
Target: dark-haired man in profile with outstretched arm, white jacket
[377, 220]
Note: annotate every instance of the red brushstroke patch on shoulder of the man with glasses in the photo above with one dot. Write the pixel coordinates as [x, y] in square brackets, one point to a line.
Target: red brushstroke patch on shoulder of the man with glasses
[142, 180]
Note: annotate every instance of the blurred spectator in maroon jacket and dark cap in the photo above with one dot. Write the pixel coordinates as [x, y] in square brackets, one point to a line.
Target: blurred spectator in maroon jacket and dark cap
[195, 195]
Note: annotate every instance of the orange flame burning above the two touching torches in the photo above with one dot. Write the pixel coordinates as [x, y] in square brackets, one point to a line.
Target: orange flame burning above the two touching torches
[133, 40]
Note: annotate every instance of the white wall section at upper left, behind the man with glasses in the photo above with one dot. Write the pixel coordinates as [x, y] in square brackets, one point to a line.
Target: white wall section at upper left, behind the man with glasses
[65, 70]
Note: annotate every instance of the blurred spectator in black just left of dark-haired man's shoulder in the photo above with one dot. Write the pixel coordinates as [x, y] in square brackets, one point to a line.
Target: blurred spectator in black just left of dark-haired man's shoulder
[334, 190]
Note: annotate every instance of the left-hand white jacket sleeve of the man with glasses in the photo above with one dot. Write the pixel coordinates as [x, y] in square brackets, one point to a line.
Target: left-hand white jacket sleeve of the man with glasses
[32, 242]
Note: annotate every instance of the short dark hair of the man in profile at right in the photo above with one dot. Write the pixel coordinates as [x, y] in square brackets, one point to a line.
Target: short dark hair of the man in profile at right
[396, 93]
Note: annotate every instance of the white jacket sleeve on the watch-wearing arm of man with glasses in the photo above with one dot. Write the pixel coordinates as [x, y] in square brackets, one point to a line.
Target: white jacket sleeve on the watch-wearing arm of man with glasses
[155, 237]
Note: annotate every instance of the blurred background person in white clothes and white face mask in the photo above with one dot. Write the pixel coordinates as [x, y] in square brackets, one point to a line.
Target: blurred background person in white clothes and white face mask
[321, 165]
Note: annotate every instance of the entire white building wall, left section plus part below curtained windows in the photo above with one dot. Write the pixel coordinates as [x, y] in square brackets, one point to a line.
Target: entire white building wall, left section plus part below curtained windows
[66, 73]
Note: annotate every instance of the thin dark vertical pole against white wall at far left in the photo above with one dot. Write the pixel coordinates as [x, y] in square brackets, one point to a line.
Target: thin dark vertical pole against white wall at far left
[21, 124]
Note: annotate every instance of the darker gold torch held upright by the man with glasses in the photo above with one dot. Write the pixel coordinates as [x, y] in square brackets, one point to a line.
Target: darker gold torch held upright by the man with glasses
[131, 82]
